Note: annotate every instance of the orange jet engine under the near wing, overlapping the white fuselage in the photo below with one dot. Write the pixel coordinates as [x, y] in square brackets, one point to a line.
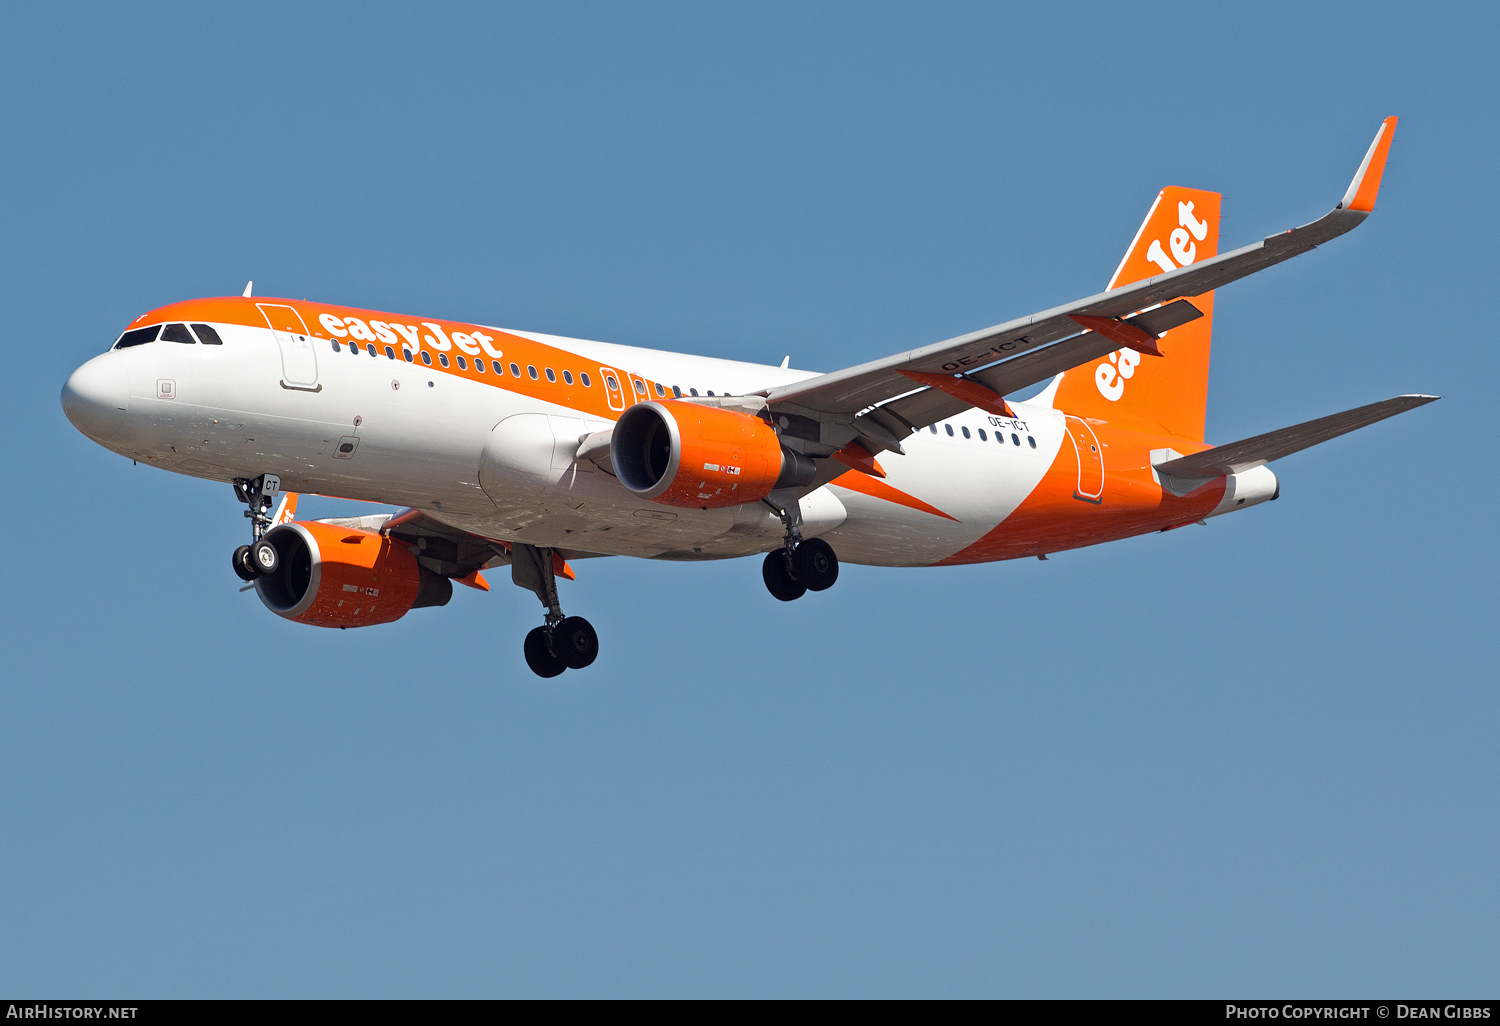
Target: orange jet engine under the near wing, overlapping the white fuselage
[682, 454]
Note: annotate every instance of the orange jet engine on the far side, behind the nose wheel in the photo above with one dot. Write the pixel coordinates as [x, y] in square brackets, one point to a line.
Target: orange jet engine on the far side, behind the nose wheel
[334, 577]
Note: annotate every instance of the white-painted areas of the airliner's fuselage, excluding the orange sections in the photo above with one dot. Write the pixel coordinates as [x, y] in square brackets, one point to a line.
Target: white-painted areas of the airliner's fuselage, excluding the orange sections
[500, 464]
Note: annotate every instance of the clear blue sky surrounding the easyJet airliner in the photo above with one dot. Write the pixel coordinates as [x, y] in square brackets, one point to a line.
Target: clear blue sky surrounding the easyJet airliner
[1255, 758]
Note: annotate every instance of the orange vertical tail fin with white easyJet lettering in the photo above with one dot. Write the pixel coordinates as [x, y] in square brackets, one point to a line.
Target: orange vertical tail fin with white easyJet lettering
[1166, 394]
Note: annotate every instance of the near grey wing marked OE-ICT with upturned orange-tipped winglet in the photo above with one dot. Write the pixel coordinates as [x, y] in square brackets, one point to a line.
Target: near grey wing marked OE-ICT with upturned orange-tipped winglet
[1031, 349]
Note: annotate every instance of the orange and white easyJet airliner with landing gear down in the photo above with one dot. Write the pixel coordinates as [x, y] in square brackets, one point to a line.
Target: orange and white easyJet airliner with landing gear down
[508, 448]
